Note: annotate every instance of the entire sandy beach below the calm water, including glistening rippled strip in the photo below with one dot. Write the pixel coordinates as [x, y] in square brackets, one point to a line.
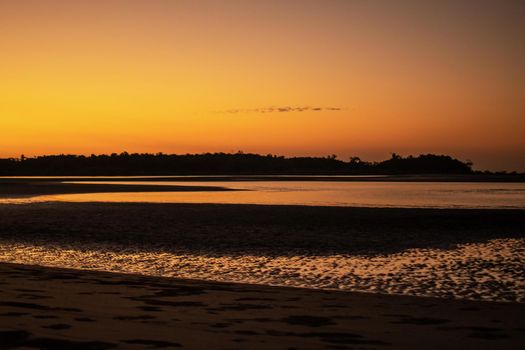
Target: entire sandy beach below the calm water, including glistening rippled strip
[160, 275]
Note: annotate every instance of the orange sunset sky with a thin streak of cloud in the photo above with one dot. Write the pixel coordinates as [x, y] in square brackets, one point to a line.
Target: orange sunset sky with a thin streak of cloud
[287, 77]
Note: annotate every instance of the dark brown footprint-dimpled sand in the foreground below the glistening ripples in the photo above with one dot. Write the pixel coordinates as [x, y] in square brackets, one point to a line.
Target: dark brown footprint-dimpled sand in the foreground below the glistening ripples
[53, 308]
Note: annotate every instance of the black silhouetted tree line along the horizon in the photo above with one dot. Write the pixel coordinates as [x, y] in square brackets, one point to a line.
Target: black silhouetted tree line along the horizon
[226, 163]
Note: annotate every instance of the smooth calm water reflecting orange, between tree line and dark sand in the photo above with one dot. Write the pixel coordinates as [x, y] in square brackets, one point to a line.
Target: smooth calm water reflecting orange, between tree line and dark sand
[332, 193]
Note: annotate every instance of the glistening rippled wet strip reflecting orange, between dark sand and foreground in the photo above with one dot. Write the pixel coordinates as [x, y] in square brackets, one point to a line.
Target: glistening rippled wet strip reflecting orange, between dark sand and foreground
[492, 270]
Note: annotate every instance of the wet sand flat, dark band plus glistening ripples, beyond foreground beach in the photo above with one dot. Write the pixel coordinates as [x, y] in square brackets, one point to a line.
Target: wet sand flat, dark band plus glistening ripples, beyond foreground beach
[469, 254]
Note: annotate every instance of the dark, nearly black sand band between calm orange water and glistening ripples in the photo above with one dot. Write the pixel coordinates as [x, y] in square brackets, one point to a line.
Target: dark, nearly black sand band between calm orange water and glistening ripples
[257, 229]
